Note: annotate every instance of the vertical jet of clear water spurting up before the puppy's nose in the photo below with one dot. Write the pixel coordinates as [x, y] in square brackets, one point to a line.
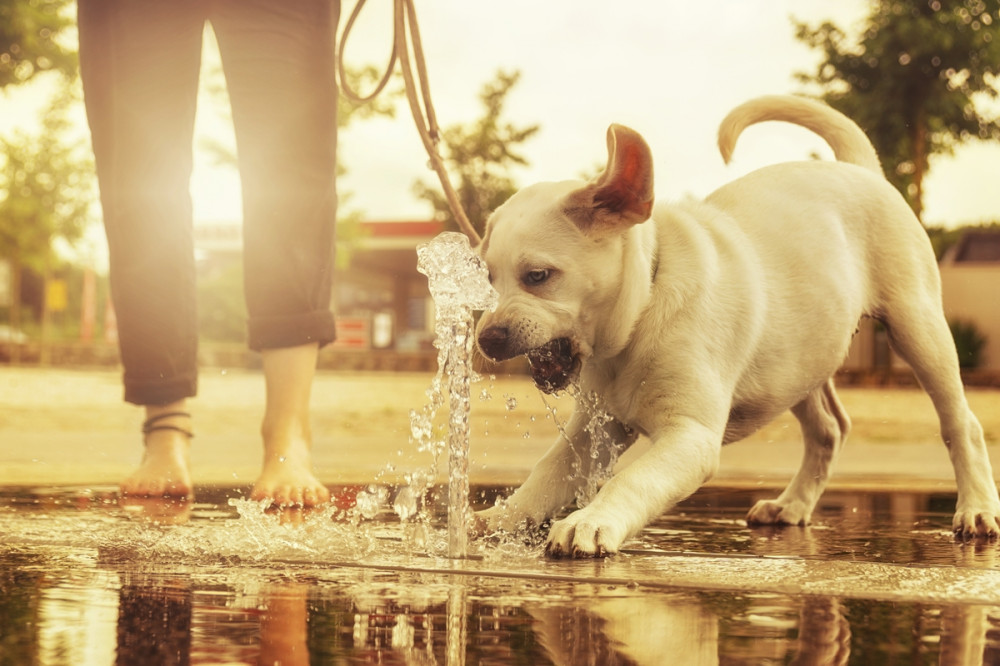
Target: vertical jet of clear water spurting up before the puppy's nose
[459, 284]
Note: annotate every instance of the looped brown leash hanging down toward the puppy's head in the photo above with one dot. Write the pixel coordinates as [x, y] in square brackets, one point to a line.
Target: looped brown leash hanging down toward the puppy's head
[405, 17]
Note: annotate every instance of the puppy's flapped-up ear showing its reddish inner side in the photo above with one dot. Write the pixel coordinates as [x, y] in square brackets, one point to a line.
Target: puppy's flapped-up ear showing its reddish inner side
[623, 194]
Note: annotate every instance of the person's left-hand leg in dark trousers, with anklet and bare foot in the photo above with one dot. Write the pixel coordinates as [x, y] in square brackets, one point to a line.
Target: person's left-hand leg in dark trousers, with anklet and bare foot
[139, 63]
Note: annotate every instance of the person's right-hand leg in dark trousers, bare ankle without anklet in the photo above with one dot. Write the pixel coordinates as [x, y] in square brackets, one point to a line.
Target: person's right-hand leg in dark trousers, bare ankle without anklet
[279, 64]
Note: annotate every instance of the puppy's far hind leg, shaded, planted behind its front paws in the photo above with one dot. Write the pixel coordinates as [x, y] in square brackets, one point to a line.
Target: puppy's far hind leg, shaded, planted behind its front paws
[824, 428]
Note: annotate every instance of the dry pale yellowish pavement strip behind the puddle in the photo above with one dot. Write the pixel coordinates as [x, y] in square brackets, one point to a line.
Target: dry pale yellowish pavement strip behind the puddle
[69, 427]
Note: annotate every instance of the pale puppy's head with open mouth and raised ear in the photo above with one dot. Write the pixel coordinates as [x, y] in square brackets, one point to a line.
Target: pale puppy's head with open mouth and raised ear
[555, 255]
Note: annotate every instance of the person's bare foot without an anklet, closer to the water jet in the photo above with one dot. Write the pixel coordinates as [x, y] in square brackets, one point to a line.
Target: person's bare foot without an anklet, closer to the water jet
[286, 477]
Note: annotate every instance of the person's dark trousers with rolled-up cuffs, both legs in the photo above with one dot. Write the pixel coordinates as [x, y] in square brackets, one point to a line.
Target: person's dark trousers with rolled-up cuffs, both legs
[140, 62]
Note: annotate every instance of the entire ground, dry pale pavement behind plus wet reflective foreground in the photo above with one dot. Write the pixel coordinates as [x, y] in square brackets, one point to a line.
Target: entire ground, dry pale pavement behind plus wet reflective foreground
[88, 579]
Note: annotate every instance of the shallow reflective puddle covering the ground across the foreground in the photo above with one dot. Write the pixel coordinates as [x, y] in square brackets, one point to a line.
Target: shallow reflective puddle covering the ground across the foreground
[877, 579]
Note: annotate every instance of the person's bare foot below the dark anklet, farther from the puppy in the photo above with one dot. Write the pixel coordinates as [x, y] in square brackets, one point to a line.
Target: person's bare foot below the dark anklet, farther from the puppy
[163, 471]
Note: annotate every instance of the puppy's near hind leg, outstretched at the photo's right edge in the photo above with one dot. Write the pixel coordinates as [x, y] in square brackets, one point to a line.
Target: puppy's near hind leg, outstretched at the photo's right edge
[921, 337]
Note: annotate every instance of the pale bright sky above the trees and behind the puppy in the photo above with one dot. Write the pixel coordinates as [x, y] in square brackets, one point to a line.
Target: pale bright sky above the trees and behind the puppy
[671, 70]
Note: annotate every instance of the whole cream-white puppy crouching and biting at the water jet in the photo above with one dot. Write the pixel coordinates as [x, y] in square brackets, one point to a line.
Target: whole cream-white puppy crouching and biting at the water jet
[698, 327]
